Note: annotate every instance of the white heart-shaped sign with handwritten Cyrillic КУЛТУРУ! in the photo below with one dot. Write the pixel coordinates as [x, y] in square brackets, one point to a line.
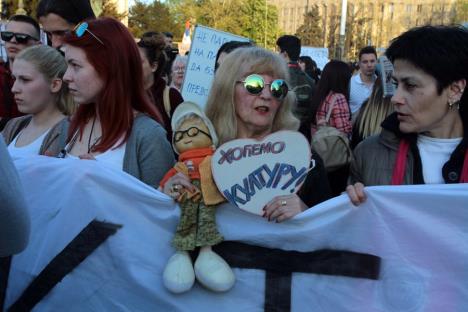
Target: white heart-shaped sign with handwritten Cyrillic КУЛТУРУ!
[249, 173]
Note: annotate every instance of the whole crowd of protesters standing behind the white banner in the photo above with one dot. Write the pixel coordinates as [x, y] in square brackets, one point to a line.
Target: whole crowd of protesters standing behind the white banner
[98, 94]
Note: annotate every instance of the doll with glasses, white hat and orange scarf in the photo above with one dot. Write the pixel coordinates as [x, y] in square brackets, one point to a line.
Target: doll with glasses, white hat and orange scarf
[194, 139]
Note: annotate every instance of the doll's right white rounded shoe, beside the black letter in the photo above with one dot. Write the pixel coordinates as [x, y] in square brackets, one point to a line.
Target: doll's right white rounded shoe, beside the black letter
[213, 272]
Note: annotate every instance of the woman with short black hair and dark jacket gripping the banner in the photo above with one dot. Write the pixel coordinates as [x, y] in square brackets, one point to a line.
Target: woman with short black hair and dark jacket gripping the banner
[426, 140]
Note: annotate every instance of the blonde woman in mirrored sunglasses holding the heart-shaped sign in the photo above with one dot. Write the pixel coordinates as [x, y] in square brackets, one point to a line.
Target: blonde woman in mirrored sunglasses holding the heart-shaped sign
[249, 99]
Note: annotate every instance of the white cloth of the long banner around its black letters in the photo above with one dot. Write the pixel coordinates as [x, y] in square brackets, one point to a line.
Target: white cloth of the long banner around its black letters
[420, 233]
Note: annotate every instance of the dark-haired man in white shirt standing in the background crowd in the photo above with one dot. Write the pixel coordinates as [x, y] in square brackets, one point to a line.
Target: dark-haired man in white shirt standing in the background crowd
[363, 81]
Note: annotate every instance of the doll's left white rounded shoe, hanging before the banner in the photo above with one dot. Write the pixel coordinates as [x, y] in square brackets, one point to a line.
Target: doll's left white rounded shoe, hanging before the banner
[178, 275]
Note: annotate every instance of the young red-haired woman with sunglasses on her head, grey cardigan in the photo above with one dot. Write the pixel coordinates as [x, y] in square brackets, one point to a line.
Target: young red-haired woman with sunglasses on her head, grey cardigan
[115, 123]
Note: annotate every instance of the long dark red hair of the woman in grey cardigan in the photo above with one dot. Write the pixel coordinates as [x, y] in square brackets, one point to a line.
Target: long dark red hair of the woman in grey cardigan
[117, 61]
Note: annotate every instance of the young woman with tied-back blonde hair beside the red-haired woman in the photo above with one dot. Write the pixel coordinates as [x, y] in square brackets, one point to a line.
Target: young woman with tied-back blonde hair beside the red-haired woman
[40, 92]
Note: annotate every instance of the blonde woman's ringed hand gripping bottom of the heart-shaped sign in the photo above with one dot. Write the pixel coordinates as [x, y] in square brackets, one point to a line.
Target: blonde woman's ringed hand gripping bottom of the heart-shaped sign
[282, 208]
